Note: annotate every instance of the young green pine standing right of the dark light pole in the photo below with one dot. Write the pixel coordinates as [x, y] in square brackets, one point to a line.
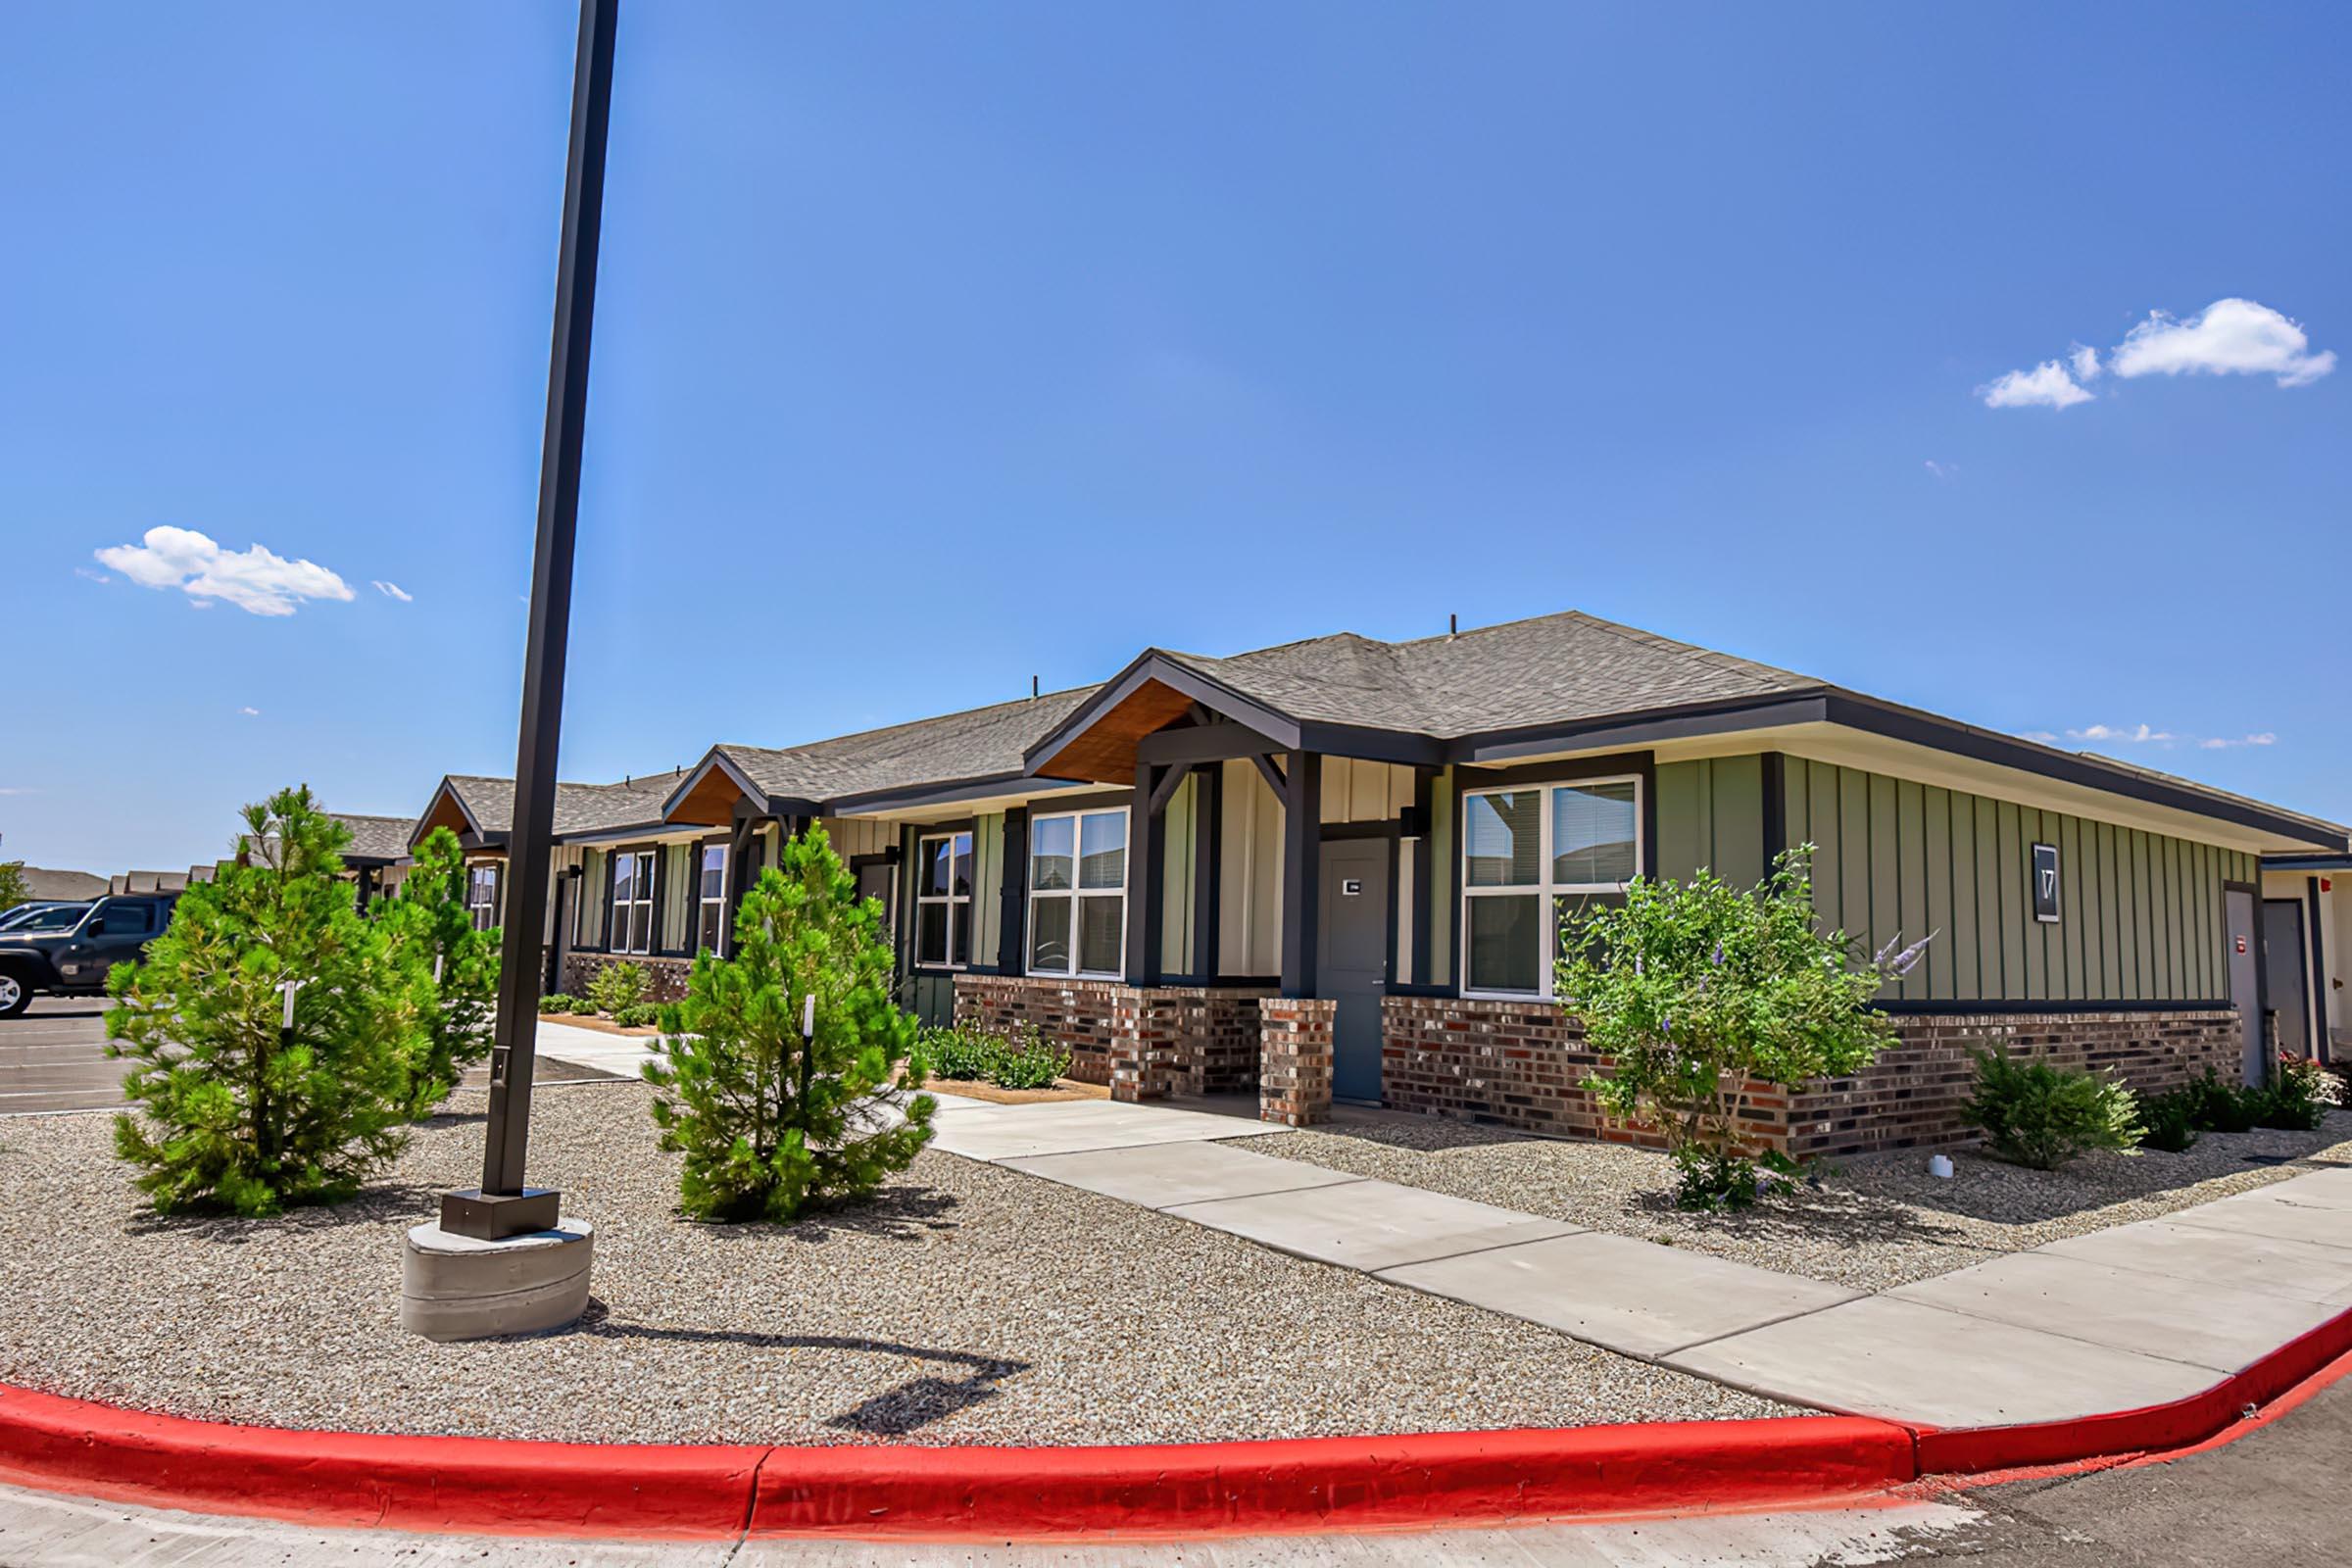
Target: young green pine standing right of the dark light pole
[770, 1127]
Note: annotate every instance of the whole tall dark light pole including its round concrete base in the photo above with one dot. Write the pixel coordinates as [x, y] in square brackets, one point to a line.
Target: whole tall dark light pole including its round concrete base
[462, 1275]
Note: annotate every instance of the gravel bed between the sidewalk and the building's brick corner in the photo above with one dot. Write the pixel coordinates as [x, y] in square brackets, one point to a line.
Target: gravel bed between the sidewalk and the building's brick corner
[1871, 1224]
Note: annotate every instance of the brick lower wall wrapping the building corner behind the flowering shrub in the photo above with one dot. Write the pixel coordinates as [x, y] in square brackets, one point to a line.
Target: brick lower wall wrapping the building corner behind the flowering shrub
[1523, 1064]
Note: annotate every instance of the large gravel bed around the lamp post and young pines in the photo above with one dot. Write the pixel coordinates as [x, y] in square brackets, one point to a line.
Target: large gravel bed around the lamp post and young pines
[968, 1306]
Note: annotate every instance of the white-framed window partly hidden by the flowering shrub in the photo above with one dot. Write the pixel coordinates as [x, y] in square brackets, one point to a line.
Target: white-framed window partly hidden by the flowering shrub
[1530, 855]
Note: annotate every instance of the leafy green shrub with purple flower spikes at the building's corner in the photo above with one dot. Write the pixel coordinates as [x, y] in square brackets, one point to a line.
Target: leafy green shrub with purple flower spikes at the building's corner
[1697, 989]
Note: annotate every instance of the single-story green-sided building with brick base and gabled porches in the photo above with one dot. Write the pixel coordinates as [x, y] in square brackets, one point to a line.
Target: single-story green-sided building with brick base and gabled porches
[1332, 871]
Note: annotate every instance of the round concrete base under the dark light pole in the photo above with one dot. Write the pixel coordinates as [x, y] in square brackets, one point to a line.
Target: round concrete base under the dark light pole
[465, 1289]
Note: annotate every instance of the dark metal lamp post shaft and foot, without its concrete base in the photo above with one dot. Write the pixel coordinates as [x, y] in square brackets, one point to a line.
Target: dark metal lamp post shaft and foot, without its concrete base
[505, 1207]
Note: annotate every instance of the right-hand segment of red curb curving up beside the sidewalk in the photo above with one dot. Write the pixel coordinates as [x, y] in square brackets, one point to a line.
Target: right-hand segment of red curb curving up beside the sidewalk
[2149, 1430]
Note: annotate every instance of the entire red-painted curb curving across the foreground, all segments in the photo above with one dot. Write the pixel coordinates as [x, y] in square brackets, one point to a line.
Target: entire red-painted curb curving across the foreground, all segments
[615, 1492]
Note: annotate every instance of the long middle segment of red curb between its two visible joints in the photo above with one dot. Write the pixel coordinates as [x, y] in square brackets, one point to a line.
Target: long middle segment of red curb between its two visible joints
[1330, 1485]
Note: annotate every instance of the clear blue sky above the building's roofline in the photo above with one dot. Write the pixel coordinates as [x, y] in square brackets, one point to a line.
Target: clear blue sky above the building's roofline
[947, 347]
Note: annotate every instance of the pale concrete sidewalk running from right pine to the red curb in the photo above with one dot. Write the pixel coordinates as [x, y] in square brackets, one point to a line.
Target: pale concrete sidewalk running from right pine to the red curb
[2118, 1320]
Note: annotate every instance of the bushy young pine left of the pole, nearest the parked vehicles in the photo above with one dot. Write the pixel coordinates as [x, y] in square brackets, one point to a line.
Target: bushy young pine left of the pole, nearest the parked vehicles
[229, 1113]
